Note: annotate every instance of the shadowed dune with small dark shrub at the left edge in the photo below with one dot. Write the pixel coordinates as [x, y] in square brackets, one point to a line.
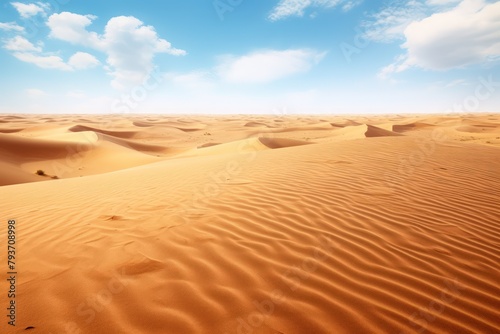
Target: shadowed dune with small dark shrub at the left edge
[73, 154]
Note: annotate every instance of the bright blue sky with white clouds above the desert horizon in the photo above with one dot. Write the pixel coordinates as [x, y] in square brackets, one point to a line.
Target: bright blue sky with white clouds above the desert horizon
[249, 56]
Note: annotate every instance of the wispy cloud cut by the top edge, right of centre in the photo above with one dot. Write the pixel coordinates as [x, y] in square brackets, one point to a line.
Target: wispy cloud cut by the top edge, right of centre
[286, 8]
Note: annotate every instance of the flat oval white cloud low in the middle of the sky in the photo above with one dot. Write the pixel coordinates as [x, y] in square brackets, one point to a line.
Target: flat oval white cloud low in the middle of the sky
[267, 66]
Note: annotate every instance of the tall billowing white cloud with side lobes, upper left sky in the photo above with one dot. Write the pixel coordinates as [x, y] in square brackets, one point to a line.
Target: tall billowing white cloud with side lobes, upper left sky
[129, 45]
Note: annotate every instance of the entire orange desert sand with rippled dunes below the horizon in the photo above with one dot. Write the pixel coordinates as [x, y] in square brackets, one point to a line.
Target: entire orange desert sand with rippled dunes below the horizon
[252, 224]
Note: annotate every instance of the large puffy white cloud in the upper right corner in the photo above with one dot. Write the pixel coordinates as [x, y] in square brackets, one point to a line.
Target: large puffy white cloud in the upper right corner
[466, 34]
